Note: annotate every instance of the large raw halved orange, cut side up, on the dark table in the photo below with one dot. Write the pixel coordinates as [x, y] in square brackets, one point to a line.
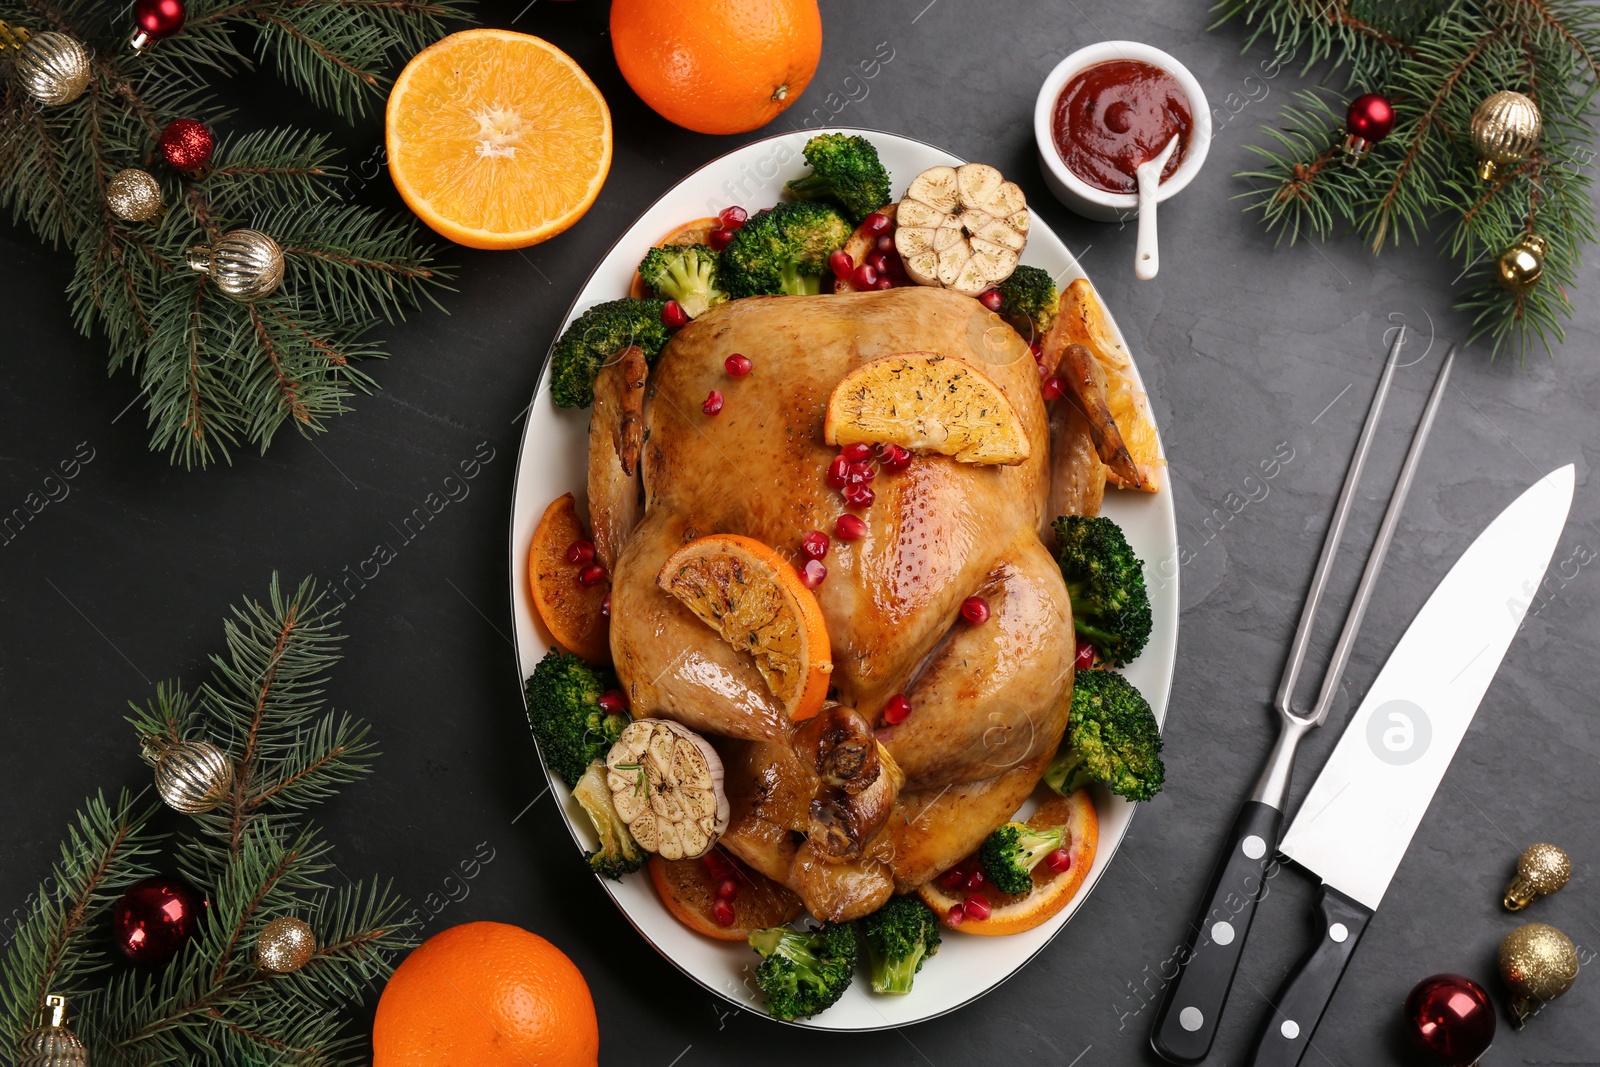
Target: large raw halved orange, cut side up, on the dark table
[497, 140]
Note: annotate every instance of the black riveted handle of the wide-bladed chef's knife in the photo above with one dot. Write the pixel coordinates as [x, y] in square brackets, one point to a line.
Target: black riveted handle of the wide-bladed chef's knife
[1310, 988]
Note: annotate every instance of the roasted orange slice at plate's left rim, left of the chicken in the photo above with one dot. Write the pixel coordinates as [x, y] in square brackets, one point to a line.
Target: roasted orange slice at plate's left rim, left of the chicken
[569, 609]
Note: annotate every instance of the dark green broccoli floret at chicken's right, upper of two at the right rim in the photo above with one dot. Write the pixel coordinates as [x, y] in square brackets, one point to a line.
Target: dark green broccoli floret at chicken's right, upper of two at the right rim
[1111, 607]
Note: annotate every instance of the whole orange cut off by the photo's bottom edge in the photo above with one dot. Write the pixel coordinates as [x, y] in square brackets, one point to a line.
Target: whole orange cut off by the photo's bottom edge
[489, 996]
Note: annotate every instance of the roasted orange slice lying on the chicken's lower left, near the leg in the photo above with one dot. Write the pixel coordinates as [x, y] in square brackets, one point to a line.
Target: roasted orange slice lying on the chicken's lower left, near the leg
[751, 596]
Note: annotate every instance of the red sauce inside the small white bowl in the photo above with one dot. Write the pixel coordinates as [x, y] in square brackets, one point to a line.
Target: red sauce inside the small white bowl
[1116, 116]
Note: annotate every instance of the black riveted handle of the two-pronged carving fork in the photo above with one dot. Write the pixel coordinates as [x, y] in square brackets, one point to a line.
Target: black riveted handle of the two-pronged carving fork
[1190, 1015]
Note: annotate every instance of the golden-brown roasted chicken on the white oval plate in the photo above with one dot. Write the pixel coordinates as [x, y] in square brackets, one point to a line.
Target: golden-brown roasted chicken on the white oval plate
[990, 701]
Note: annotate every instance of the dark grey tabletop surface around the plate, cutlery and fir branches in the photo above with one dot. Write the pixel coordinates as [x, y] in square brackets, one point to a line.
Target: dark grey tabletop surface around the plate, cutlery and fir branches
[1247, 351]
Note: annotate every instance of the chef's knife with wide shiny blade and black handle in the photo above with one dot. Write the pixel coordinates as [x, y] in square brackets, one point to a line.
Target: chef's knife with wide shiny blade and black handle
[1362, 810]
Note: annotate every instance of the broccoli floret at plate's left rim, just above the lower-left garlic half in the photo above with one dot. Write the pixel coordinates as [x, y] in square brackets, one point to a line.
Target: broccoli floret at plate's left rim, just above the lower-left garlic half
[569, 722]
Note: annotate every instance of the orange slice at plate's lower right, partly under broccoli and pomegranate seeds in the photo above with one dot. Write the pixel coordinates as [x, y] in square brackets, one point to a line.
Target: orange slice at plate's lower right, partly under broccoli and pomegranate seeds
[1014, 914]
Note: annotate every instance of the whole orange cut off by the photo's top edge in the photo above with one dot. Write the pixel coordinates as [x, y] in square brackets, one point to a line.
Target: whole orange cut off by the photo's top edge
[718, 66]
